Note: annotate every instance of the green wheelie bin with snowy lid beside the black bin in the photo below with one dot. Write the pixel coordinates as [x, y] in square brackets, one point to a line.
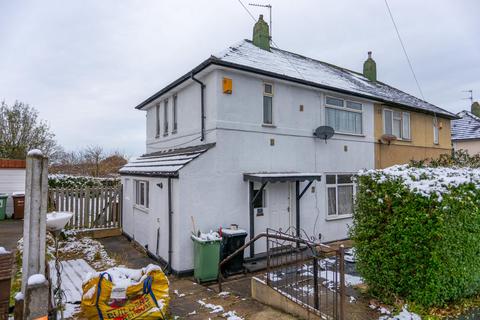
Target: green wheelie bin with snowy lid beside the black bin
[206, 258]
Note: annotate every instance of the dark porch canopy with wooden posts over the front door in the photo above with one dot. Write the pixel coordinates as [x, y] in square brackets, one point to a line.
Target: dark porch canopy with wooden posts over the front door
[266, 177]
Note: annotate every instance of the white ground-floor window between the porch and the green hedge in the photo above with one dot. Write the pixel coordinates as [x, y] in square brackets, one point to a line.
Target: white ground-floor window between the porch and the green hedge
[340, 195]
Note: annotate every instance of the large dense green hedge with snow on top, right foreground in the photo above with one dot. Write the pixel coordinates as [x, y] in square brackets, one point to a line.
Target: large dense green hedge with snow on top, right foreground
[417, 233]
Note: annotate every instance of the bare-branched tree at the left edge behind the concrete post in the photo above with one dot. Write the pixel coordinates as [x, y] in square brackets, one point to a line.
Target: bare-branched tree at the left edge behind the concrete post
[21, 131]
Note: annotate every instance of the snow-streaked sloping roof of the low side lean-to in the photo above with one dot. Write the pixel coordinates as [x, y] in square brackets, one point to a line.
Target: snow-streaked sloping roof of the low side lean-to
[163, 163]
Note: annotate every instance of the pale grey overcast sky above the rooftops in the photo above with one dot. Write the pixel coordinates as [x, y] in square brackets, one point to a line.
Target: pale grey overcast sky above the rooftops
[85, 64]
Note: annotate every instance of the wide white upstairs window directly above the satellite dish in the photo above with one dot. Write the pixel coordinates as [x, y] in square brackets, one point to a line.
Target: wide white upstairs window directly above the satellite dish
[344, 116]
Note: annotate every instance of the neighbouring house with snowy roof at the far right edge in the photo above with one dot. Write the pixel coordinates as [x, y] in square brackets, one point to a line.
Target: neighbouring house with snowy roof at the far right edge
[466, 130]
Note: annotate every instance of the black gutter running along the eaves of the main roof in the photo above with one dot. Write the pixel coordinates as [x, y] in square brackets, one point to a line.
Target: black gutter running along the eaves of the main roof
[215, 61]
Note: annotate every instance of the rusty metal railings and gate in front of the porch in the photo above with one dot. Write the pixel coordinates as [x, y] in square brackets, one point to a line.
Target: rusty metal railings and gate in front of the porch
[307, 272]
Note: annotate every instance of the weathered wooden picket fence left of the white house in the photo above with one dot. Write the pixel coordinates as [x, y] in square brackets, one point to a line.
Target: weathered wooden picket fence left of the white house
[93, 208]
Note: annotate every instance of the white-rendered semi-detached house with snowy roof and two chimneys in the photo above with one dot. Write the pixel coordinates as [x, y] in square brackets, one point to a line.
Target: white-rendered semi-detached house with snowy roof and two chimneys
[232, 141]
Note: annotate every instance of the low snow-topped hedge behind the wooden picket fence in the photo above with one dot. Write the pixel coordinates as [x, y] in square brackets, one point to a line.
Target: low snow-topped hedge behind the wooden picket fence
[67, 181]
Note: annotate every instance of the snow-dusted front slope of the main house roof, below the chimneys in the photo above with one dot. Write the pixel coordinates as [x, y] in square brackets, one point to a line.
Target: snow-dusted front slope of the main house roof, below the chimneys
[306, 69]
